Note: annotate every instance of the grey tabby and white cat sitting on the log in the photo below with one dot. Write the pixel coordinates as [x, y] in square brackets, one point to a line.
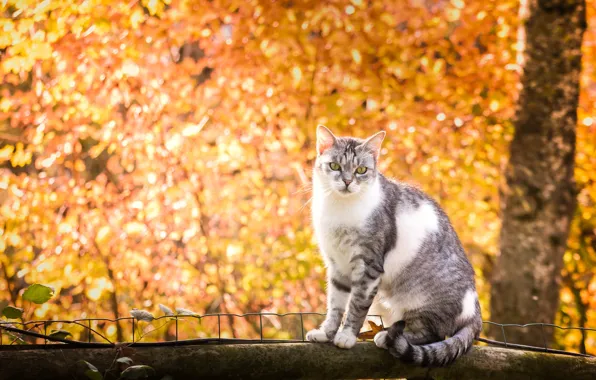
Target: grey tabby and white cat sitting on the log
[390, 250]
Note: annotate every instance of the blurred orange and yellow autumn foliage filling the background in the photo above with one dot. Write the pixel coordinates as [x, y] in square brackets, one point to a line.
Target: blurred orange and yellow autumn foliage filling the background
[159, 152]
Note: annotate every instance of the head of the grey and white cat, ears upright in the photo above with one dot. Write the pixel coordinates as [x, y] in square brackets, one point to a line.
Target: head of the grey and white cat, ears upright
[346, 166]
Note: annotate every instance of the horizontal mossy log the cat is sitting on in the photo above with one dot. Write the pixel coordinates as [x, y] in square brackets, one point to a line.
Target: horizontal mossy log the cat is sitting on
[292, 361]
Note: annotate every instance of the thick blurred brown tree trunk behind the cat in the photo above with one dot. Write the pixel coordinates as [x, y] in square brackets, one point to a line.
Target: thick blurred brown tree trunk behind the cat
[539, 200]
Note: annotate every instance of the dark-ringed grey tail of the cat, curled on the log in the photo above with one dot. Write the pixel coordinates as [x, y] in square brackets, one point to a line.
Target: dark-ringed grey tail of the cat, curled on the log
[434, 354]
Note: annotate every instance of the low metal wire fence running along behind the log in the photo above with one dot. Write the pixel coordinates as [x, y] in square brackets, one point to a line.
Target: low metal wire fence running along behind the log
[216, 329]
